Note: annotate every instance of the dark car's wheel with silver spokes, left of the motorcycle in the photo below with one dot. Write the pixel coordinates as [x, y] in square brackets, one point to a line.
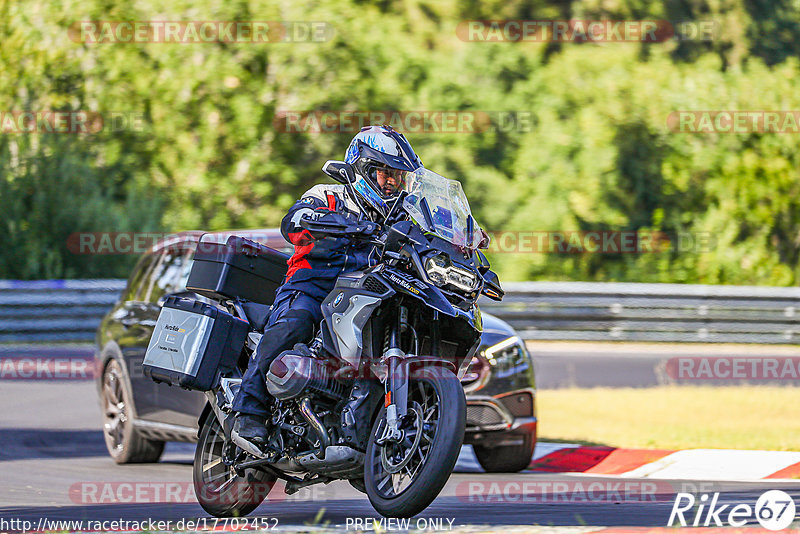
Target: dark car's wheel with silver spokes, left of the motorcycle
[124, 443]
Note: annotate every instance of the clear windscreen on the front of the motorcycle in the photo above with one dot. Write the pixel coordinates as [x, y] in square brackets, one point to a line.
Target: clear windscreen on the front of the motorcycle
[448, 214]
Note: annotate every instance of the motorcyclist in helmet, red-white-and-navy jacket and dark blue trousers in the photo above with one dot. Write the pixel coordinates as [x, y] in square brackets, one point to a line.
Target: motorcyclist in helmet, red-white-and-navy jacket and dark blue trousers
[380, 157]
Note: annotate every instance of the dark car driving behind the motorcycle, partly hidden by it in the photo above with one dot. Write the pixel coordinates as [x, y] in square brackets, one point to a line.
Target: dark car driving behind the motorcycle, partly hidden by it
[140, 415]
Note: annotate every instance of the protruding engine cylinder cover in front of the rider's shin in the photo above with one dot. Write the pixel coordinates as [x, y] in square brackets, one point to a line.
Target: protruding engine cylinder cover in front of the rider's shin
[292, 374]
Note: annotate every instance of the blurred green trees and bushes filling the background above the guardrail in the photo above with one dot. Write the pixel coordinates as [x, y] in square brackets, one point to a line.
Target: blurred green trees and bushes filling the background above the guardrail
[598, 155]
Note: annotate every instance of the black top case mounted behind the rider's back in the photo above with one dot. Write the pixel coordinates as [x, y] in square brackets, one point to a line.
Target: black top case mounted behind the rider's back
[240, 269]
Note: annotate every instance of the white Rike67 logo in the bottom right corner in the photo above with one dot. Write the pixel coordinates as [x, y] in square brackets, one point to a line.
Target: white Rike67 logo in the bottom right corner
[774, 510]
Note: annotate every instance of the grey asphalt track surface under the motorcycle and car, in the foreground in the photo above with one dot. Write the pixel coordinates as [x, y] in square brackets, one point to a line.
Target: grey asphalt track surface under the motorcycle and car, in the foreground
[53, 465]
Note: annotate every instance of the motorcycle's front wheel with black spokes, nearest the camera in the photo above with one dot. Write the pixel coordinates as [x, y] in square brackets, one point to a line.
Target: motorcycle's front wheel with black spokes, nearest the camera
[403, 478]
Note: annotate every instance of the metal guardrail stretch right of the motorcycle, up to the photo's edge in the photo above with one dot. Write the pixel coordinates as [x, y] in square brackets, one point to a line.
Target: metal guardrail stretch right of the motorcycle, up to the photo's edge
[650, 312]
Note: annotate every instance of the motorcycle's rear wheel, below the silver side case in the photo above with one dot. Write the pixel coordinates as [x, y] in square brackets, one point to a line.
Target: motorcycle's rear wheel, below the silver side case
[220, 490]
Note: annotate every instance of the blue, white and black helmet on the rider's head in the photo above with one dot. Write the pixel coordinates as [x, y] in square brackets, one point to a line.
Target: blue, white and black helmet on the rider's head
[381, 157]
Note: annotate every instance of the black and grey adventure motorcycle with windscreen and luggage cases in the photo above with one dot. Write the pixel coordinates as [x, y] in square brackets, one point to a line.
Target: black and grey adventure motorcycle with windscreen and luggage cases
[374, 398]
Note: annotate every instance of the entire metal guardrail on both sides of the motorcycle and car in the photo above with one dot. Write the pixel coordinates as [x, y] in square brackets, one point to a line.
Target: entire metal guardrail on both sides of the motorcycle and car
[71, 310]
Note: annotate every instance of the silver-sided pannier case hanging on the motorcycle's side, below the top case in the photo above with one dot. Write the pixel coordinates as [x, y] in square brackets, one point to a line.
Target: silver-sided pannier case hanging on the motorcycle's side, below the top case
[193, 344]
